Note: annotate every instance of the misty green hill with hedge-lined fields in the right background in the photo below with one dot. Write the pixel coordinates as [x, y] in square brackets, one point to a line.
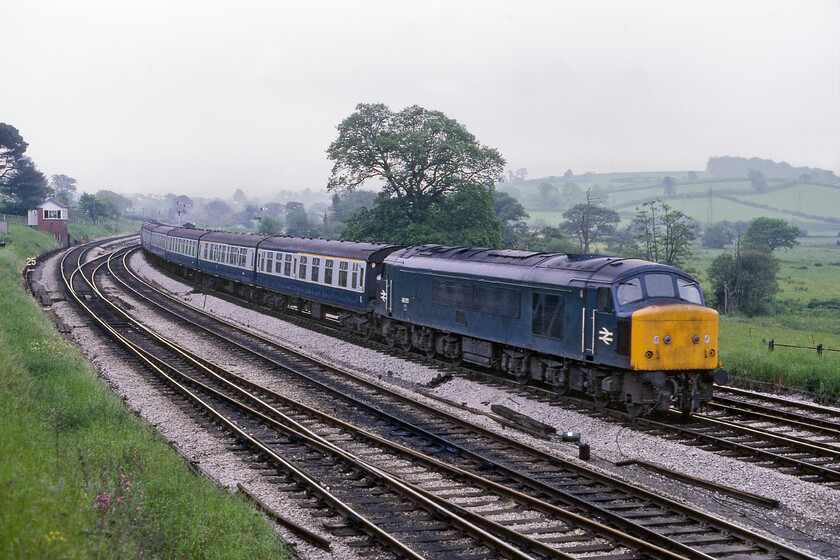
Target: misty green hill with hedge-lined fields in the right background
[806, 197]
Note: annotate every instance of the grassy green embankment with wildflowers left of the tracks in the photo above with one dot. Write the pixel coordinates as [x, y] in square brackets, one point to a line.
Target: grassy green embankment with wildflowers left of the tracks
[80, 476]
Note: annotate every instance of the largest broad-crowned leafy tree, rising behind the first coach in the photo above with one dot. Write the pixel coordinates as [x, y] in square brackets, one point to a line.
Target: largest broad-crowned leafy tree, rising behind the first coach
[425, 161]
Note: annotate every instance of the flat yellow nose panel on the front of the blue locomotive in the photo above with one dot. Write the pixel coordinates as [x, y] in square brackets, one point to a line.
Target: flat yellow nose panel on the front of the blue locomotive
[677, 336]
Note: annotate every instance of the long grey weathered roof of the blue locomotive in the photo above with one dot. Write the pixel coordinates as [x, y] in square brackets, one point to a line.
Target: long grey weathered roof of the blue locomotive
[524, 266]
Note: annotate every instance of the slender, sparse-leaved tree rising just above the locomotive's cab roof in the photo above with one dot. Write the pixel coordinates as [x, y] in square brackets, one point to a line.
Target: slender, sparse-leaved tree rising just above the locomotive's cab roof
[665, 234]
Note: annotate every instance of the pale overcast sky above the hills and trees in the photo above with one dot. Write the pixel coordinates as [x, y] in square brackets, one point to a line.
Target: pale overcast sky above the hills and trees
[203, 97]
